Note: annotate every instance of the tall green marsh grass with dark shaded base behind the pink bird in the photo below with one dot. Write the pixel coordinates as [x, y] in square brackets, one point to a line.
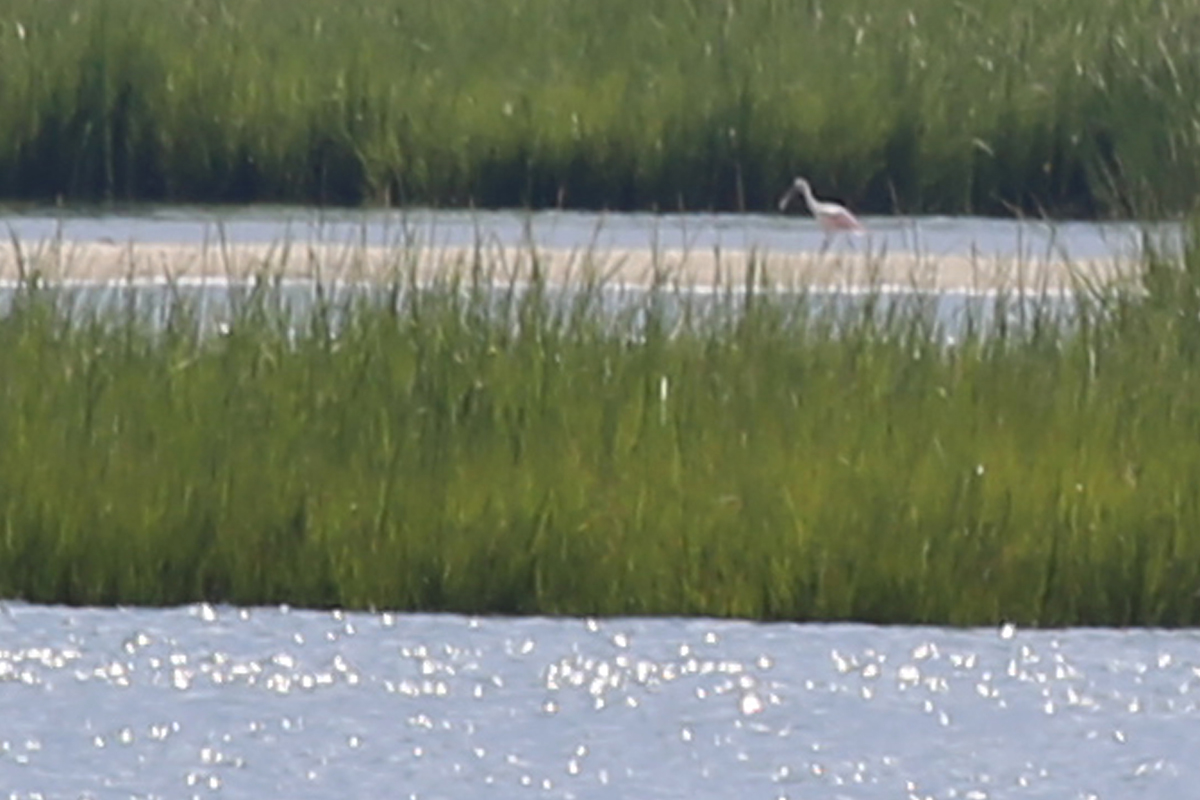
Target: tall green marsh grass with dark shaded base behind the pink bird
[1066, 107]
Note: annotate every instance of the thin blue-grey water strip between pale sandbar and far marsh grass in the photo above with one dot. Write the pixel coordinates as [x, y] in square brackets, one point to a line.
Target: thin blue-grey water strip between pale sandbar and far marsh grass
[771, 233]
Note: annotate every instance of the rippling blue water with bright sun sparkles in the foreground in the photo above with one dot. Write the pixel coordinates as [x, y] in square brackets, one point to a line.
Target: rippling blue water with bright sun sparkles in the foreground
[217, 702]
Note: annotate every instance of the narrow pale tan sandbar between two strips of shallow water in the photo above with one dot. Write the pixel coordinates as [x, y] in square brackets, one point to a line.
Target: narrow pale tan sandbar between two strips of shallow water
[845, 269]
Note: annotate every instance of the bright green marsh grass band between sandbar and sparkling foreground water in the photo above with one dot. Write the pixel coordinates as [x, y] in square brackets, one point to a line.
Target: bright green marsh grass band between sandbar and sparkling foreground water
[484, 449]
